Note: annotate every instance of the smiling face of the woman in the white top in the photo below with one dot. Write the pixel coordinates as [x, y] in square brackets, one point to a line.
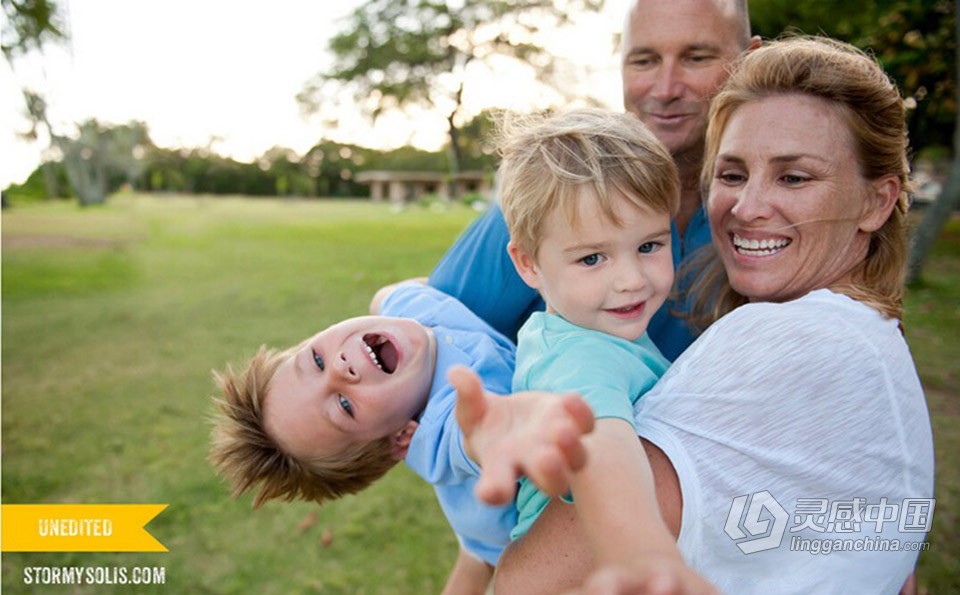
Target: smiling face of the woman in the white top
[787, 201]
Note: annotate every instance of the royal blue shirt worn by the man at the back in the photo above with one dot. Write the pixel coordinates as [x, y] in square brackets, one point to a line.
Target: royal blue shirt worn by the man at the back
[478, 271]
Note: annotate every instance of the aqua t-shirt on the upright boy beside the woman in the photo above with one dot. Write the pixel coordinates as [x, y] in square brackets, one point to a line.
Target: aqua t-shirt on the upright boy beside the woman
[610, 373]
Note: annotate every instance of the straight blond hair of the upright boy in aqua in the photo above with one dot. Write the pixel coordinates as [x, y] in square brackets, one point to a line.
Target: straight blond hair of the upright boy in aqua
[548, 159]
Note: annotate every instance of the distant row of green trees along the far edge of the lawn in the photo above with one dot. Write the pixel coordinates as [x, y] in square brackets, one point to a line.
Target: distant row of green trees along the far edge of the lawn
[99, 159]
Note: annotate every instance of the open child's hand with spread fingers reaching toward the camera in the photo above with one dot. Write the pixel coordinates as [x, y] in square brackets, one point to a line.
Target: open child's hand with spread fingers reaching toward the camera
[535, 434]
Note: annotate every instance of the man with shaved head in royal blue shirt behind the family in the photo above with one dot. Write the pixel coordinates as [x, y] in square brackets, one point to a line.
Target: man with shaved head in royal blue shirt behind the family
[676, 53]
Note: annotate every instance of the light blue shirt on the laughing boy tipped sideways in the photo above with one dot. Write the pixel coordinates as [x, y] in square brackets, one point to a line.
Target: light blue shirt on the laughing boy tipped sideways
[436, 450]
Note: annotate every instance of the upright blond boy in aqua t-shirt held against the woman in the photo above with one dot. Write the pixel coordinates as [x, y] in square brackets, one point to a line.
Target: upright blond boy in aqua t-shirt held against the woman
[588, 196]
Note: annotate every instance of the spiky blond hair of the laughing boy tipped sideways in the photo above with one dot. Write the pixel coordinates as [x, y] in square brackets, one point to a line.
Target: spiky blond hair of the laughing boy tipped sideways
[246, 455]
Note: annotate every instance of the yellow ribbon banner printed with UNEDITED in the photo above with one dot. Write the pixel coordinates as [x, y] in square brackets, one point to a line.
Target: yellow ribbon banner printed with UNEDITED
[78, 528]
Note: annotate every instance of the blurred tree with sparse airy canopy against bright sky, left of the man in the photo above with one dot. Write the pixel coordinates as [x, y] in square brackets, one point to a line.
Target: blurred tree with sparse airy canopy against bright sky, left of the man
[396, 54]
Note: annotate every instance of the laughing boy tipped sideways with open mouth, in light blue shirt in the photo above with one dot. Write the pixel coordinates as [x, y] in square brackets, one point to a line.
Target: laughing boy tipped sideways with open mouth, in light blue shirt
[330, 416]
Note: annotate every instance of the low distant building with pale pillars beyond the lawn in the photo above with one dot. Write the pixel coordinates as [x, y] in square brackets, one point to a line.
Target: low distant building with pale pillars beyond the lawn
[410, 186]
